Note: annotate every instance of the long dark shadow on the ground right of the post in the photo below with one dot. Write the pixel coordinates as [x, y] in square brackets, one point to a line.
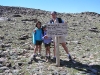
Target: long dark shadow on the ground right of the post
[95, 69]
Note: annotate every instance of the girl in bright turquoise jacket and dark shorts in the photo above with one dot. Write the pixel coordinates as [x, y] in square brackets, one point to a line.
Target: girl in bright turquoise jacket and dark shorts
[37, 39]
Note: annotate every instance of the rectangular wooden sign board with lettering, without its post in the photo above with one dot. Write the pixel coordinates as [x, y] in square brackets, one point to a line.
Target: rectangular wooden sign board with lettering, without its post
[58, 29]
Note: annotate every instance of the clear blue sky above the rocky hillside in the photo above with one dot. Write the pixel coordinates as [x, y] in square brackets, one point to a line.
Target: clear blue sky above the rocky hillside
[67, 6]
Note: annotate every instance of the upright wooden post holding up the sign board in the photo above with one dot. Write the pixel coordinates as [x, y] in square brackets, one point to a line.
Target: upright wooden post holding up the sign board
[57, 51]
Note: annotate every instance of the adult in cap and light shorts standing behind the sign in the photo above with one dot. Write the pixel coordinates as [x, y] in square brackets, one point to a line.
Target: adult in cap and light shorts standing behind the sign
[62, 39]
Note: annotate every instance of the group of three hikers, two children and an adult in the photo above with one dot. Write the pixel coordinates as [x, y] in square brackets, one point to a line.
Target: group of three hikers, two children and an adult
[40, 36]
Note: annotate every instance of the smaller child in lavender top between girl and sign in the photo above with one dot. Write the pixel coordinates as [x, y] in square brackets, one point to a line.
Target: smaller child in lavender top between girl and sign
[47, 42]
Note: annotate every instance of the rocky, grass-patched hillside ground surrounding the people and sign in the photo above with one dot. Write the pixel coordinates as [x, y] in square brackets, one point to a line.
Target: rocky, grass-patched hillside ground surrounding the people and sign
[83, 41]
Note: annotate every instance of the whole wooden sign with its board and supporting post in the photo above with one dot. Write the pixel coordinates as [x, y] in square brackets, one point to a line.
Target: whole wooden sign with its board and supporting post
[58, 29]
